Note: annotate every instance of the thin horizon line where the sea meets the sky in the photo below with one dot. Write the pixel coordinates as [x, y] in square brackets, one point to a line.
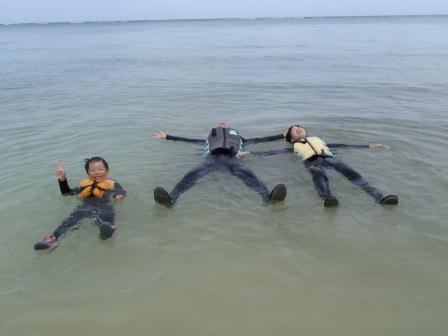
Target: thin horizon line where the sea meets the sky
[222, 19]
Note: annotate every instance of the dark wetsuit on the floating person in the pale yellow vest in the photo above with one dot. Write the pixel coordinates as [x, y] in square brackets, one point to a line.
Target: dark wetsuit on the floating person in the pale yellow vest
[316, 166]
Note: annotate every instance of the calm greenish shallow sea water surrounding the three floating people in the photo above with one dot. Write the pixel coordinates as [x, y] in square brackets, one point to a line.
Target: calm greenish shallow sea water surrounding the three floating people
[221, 262]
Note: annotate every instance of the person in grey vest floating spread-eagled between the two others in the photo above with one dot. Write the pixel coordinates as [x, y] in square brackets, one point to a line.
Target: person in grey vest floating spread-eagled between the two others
[224, 147]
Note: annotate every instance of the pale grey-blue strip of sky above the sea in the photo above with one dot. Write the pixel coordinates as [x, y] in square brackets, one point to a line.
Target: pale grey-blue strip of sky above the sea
[27, 11]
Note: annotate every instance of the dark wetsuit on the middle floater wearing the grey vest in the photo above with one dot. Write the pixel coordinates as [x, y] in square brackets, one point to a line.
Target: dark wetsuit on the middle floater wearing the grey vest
[216, 162]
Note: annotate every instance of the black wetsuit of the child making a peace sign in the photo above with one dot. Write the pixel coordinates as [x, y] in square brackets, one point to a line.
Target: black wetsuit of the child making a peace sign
[100, 209]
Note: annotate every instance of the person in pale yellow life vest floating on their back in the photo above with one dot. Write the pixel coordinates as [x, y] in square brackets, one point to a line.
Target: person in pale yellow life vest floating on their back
[316, 156]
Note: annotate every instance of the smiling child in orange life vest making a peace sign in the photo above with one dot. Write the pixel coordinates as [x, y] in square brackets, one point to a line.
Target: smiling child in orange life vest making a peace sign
[95, 193]
